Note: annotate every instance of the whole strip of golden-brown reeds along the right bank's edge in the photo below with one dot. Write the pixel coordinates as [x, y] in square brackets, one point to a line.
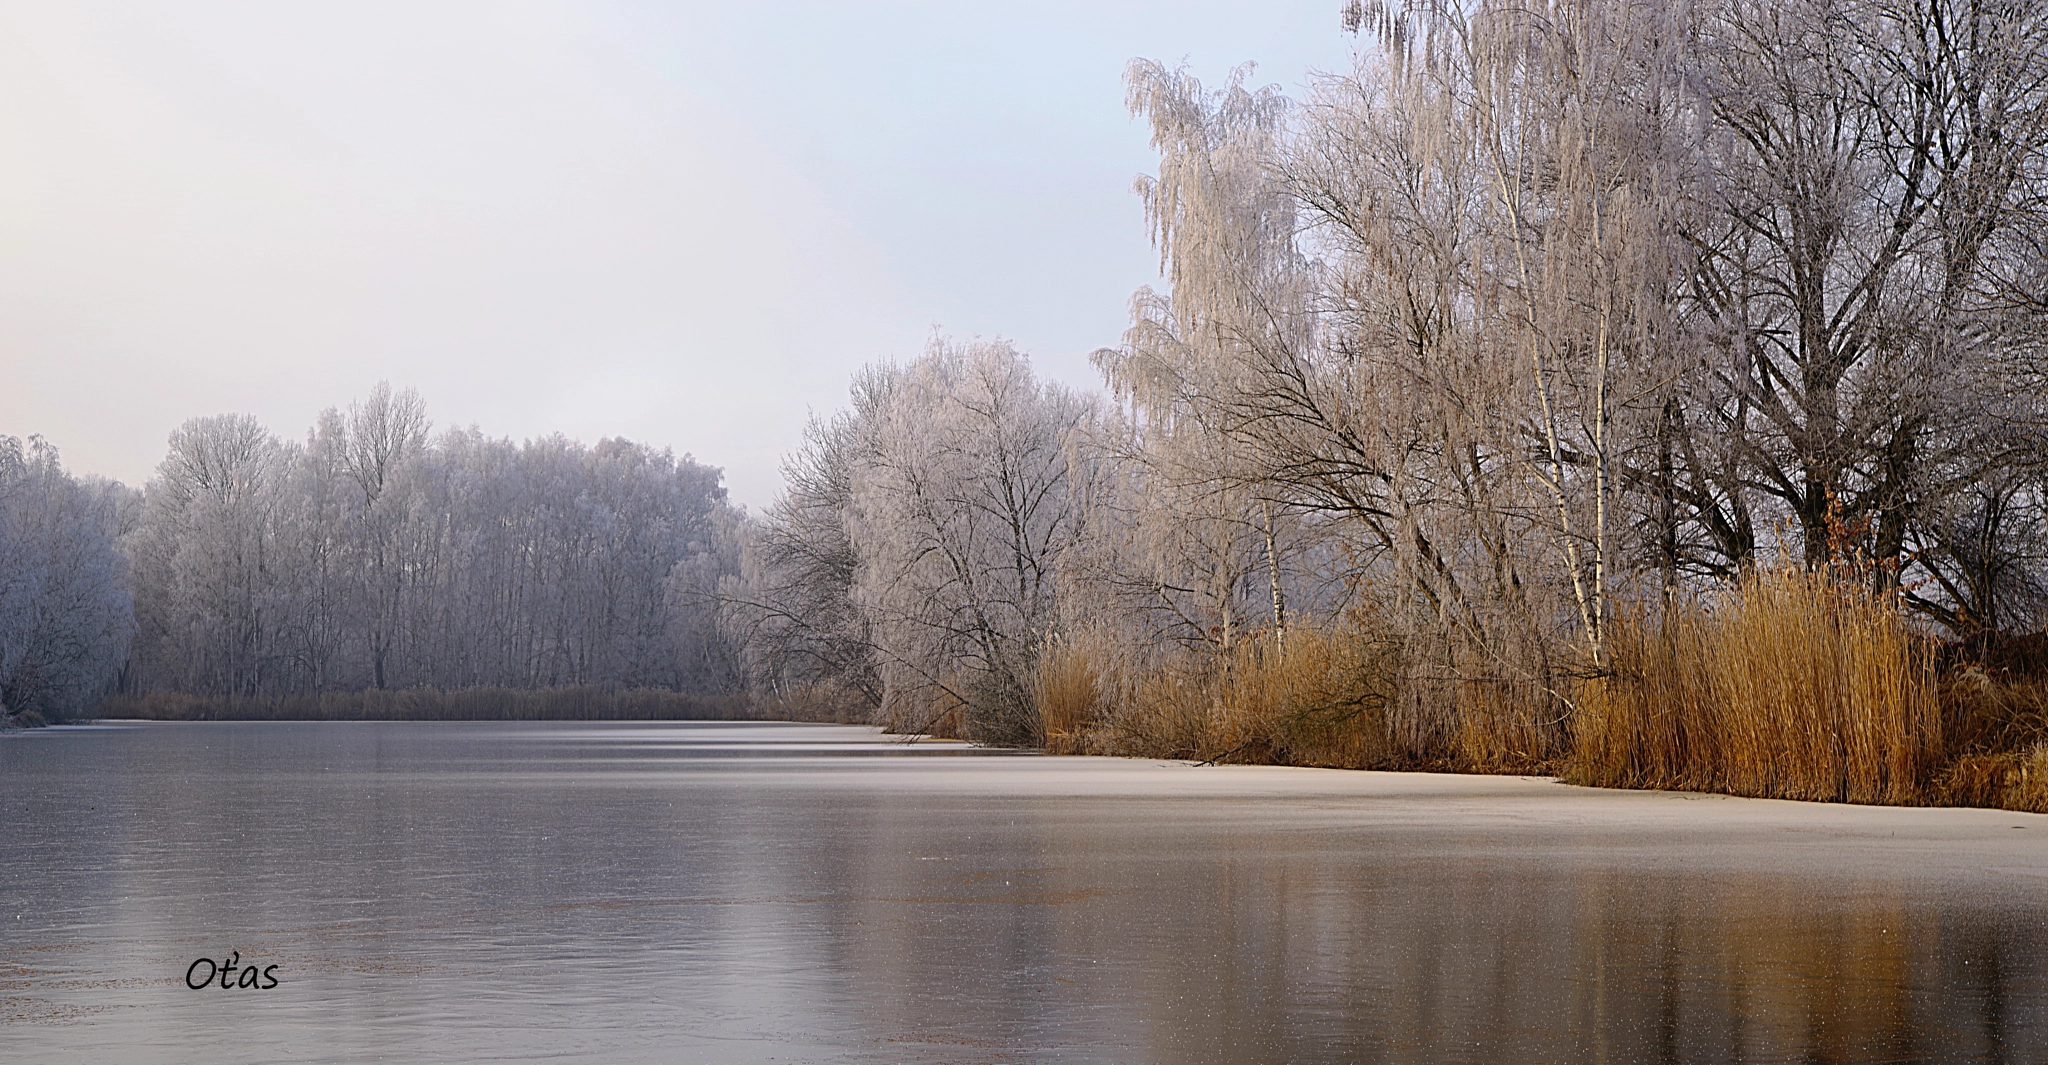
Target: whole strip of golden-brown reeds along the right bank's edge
[1791, 685]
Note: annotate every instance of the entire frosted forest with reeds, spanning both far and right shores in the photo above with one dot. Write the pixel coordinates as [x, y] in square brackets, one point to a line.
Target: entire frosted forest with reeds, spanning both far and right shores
[1646, 394]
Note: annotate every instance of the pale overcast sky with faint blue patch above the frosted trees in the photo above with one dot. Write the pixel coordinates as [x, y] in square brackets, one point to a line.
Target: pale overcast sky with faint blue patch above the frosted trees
[669, 222]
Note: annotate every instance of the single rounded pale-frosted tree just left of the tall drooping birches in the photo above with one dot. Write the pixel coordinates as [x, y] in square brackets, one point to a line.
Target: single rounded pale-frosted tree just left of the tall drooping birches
[959, 517]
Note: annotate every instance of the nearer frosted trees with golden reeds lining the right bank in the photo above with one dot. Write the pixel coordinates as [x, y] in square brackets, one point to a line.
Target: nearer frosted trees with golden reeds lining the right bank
[1558, 359]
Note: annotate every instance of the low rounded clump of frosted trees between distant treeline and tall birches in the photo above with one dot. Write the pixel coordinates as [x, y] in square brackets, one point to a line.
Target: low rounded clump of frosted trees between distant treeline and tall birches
[916, 556]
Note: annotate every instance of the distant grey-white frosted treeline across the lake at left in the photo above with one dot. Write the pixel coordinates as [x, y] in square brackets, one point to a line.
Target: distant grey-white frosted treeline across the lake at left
[370, 558]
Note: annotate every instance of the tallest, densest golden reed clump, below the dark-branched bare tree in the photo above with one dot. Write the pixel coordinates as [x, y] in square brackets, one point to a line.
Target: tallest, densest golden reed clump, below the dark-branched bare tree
[1793, 687]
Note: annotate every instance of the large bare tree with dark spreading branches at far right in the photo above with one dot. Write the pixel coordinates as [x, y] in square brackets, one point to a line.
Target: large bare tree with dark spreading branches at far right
[1865, 194]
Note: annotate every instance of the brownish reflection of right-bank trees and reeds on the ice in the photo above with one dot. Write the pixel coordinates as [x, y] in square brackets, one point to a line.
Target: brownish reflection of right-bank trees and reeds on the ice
[1064, 931]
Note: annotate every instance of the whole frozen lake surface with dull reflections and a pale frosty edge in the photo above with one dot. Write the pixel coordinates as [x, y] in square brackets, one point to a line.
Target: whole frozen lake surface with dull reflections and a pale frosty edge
[720, 894]
